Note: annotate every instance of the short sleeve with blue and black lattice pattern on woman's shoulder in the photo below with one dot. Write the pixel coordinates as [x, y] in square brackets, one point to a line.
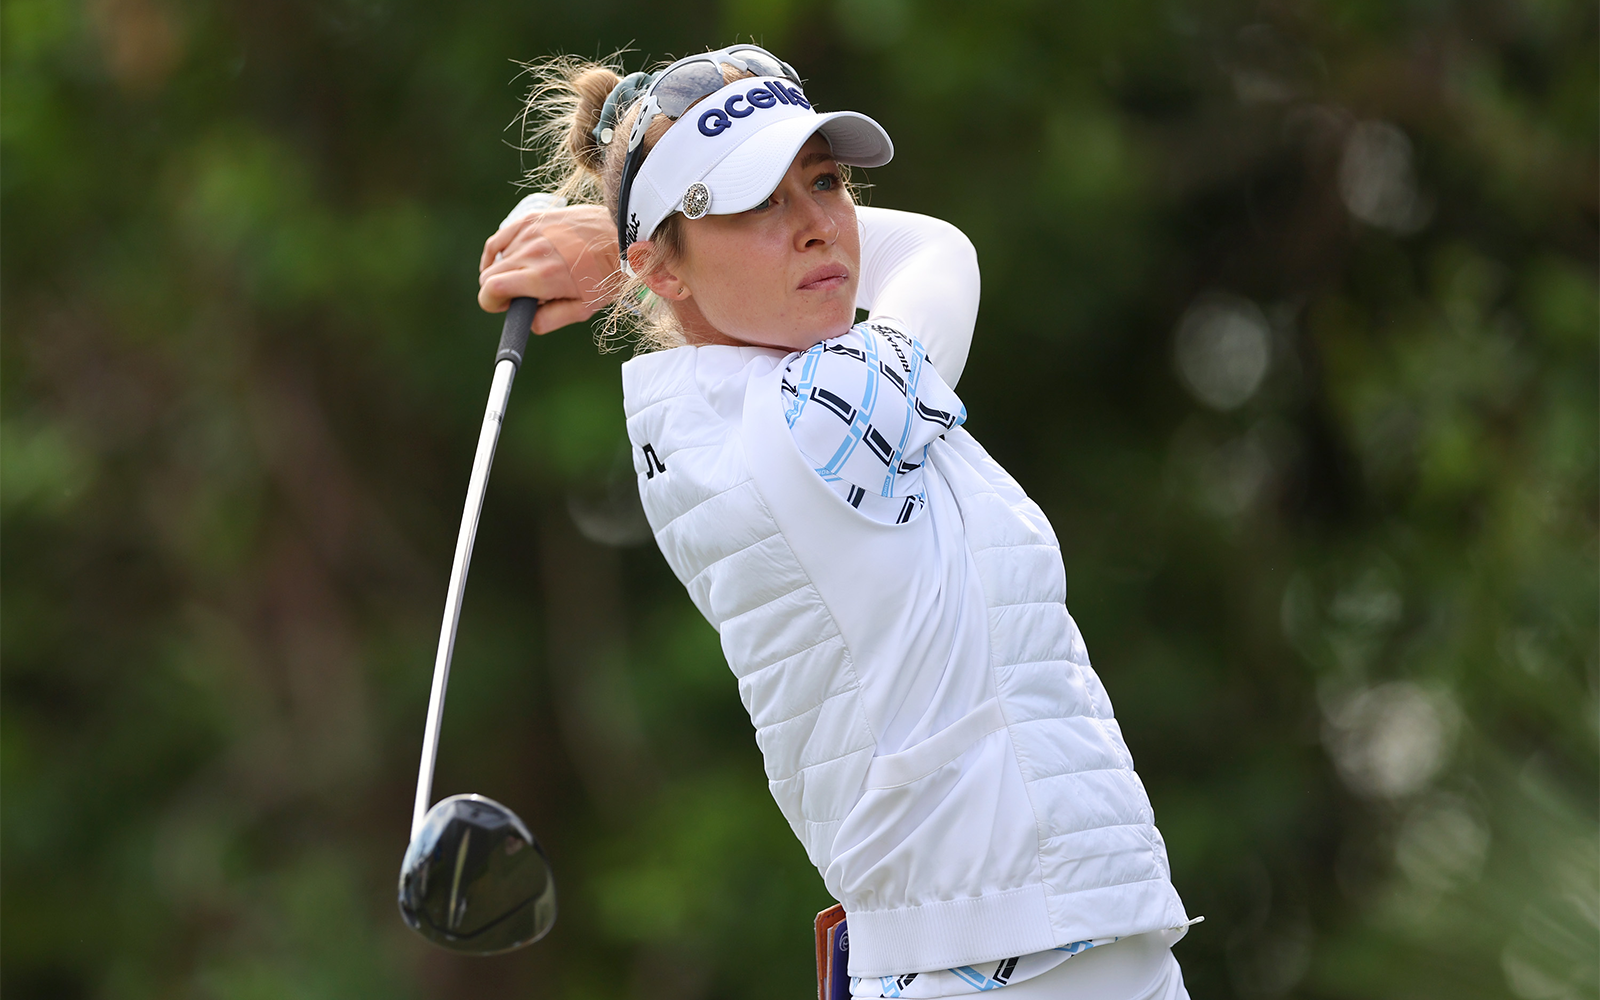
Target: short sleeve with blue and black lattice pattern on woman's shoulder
[863, 409]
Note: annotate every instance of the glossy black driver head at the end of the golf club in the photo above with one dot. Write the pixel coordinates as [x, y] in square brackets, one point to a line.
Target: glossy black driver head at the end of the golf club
[474, 879]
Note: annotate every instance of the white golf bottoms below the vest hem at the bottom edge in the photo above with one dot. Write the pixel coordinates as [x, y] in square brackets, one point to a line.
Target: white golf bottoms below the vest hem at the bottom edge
[1134, 969]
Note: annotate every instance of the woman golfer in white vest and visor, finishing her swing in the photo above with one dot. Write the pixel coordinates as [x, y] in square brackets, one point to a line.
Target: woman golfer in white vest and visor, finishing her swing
[890, 601]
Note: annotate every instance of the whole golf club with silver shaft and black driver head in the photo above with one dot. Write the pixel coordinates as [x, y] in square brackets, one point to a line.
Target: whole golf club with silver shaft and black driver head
[474, 879]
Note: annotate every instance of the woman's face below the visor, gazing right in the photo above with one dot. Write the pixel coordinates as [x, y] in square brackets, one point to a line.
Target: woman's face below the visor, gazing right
[785, 273]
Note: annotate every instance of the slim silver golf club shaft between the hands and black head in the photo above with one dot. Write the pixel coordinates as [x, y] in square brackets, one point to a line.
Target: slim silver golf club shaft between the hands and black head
[514, 342]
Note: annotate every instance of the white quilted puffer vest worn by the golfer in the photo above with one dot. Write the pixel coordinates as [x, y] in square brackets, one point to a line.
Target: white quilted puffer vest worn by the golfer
[1017, 828]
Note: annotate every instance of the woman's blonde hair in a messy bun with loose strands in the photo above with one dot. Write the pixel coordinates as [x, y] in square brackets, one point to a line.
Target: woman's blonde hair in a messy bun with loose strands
[558, 127]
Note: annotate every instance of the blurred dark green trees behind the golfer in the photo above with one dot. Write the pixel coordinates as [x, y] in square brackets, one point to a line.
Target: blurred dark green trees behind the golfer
[1290, 324]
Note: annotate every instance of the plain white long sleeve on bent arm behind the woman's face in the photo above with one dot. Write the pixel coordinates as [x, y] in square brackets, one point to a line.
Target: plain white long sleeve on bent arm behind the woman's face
[921, 274]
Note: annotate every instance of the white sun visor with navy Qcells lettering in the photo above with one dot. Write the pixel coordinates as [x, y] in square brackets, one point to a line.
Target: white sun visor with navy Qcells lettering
[735, 146]
